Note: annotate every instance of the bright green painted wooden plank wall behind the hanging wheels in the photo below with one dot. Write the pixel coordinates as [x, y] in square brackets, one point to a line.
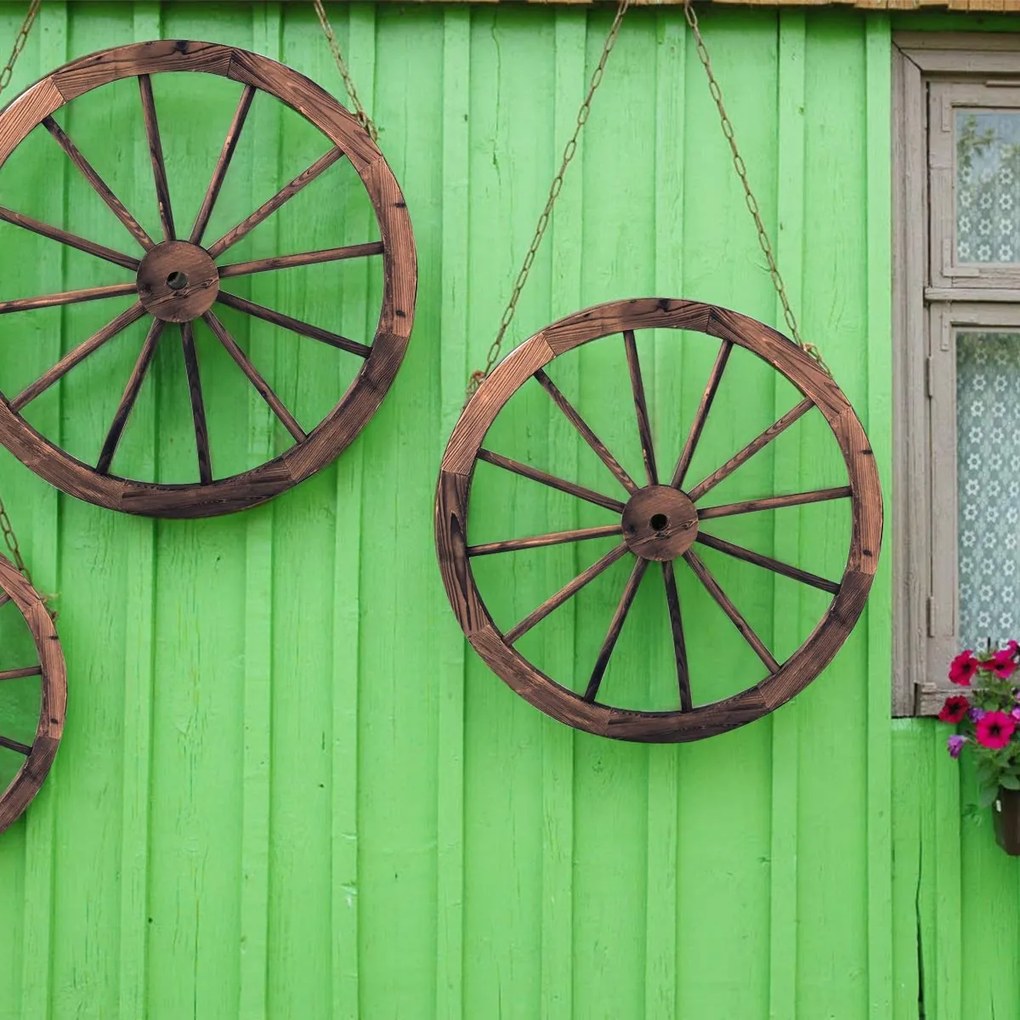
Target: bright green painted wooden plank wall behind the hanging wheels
[286, 788]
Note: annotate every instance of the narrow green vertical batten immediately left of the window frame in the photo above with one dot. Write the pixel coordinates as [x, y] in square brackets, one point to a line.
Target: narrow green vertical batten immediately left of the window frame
[879, 424]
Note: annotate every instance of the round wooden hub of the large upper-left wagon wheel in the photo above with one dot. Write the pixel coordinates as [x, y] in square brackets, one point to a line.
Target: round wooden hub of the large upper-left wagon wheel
[178, 282]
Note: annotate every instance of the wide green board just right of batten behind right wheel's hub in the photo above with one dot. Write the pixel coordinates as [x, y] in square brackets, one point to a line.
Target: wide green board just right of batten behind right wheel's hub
[725, 807]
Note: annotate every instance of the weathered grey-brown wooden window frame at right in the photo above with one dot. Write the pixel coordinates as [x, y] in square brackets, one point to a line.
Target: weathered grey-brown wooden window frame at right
[934, 297]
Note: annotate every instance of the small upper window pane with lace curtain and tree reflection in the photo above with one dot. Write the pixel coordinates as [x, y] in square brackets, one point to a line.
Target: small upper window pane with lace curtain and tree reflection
[988, 144]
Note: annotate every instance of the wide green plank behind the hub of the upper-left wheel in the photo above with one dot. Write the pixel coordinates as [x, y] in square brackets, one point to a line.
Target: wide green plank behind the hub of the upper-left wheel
[206, 693]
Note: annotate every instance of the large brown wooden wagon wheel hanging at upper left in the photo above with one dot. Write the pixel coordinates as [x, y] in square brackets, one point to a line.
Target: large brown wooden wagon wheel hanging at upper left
[179, 279]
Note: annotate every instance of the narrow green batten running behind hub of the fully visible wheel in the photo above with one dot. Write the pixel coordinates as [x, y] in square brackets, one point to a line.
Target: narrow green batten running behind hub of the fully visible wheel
[665, 899]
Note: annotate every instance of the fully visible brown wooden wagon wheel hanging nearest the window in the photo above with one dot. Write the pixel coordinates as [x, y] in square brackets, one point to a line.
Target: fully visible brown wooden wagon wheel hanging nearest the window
[660, 522]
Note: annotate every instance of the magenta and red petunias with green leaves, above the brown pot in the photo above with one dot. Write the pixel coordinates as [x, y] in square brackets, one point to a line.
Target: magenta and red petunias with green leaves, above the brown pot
[988, 717]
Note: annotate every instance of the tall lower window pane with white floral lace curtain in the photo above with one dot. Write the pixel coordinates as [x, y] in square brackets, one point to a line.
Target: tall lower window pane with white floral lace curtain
[989, 487]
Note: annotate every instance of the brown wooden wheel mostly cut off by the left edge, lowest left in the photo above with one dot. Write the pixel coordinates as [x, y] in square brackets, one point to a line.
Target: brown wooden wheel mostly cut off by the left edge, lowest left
[50, 670]
